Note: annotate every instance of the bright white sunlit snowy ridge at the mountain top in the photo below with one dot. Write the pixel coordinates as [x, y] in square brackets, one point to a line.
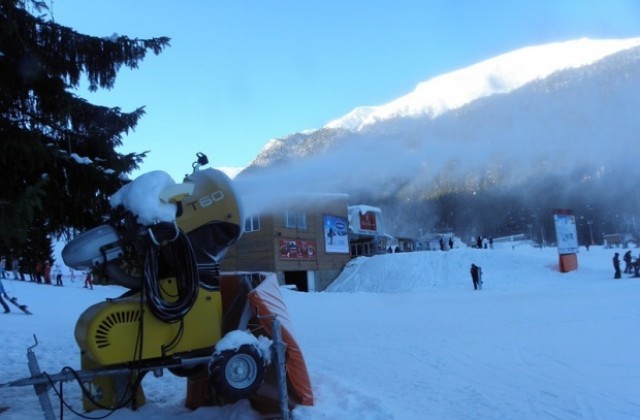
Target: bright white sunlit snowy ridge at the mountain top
[501, 74]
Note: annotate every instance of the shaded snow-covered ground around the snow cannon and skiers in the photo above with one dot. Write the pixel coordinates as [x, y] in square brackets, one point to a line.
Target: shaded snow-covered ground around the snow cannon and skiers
[404, 336]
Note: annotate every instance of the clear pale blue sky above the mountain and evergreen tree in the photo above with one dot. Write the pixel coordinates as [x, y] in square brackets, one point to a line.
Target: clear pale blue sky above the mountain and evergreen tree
[240, 72]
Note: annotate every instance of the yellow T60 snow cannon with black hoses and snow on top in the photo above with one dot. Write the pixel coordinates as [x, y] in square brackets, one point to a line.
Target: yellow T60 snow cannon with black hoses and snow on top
[164, 242]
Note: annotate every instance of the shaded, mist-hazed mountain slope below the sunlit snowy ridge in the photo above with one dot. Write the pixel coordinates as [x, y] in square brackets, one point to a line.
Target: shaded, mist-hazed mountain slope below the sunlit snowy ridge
[495, 164]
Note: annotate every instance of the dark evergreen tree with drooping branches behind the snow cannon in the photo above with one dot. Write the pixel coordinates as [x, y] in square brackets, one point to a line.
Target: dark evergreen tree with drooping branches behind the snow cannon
[58, 163]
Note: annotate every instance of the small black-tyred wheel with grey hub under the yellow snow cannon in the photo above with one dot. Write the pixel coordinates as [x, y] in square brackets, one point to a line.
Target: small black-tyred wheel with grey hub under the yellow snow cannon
[236, 374]
